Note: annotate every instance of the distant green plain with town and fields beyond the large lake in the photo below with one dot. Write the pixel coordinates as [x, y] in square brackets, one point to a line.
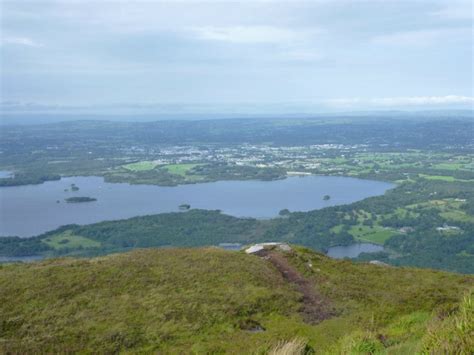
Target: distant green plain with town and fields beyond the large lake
[179, 152]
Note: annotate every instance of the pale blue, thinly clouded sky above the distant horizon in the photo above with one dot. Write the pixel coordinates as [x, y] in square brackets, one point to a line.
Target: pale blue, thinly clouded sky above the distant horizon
[262, 55]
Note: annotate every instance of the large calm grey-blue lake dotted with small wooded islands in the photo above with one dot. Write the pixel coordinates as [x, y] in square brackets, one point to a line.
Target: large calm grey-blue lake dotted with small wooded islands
[33, 209]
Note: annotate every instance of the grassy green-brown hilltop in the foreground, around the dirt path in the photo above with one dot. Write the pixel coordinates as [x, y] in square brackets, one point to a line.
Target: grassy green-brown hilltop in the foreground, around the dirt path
[214, 301]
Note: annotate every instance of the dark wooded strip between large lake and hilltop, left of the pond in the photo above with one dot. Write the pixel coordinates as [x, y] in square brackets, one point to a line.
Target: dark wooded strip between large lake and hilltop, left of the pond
[193, 228]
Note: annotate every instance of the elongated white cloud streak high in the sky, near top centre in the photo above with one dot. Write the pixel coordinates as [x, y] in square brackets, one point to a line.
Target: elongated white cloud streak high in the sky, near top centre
[252, 34]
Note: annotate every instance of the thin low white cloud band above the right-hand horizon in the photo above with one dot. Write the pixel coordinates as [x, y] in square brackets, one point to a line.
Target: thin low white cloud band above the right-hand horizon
[403, 101]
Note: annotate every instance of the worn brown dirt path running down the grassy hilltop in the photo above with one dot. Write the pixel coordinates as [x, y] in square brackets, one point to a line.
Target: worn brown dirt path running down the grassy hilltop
[315, 308]
